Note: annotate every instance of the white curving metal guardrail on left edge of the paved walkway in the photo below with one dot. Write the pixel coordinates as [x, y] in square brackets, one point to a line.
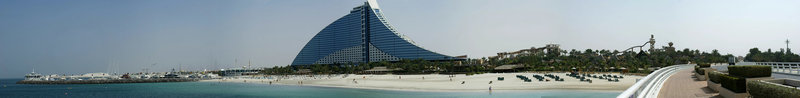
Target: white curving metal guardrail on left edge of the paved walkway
[650, 85]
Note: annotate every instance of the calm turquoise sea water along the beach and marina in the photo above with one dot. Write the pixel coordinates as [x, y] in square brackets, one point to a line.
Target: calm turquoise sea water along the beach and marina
[240, 90]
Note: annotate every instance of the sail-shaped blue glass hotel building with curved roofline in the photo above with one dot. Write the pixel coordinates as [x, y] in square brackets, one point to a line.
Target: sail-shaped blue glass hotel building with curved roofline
[363, 35]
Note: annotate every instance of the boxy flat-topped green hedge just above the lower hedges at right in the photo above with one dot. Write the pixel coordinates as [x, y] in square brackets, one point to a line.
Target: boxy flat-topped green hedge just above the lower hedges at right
[750, 71]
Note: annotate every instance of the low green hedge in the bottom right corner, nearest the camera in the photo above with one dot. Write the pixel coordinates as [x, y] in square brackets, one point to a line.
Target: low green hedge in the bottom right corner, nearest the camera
[761, 89]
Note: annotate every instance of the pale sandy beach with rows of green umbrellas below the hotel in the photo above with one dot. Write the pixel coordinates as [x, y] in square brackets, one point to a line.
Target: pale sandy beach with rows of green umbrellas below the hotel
[440, 82]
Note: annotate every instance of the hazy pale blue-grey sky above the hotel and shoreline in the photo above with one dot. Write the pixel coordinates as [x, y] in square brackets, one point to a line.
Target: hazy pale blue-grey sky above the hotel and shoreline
[122, 36]
